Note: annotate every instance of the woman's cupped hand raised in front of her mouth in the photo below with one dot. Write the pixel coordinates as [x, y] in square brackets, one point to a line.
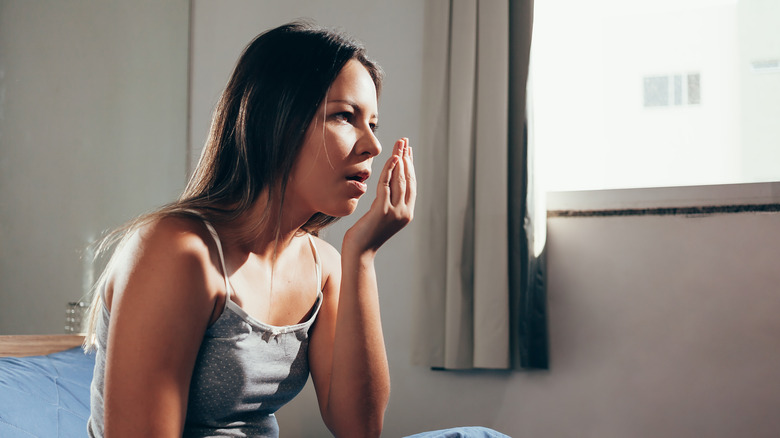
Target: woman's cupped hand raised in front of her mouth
[393, 207]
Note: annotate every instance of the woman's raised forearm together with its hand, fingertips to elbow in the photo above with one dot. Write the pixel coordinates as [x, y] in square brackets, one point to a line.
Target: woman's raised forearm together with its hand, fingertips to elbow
[359, 381]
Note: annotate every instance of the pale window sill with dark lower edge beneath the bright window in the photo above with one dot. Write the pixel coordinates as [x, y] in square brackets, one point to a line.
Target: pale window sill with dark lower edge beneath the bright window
[689, 200]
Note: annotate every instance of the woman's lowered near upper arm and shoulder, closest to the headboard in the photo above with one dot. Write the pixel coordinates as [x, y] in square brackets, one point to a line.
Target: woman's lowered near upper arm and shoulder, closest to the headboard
[161, 299]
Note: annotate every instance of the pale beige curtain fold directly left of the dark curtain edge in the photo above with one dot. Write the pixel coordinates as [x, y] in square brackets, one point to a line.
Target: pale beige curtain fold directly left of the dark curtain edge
[491, 173]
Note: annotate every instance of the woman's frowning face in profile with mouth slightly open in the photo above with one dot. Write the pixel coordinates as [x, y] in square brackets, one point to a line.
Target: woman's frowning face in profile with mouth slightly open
[330, 172]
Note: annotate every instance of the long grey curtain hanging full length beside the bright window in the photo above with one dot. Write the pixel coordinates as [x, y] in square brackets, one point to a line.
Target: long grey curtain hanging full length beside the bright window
[483, 302]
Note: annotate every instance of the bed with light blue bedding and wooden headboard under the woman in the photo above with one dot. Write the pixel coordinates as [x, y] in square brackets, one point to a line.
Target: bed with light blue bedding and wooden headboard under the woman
[44, 390]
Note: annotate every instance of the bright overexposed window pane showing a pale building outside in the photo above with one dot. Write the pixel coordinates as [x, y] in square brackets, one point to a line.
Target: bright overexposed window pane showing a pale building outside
[655, 93]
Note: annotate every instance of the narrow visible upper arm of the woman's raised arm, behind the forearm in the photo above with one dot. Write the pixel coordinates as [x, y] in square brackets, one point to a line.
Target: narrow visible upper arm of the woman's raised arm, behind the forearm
[324, 330]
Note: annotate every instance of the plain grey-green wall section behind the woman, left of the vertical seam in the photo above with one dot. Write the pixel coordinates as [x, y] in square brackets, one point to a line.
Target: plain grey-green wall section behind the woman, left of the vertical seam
[93, 117]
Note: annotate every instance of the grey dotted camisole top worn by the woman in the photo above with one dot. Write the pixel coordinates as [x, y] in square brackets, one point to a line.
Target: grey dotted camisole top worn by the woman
[246, 371]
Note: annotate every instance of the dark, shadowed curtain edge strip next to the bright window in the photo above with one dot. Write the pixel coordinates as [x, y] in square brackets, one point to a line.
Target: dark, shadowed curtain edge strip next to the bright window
[527, 212]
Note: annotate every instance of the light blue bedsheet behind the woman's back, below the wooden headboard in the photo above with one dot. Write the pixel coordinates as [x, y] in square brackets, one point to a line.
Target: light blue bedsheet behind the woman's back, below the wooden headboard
[45, 396]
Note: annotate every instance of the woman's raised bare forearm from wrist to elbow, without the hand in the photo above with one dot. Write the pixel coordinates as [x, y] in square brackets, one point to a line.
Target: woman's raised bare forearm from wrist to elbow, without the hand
[360, 378]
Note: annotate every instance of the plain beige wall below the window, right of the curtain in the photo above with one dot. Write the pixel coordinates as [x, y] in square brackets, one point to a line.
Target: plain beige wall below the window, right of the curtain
[660, 326]
